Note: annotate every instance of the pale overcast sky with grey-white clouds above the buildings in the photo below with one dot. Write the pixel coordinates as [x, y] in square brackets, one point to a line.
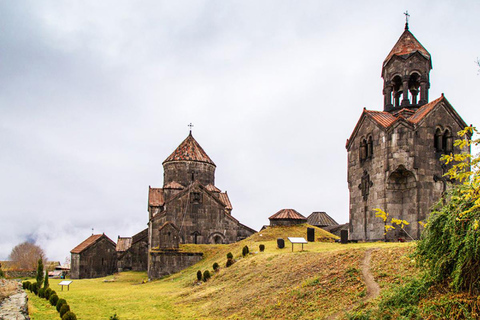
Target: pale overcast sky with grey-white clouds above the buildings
[94, 95]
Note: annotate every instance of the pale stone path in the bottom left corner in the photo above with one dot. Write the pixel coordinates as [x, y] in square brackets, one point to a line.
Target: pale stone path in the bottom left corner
[14, 305]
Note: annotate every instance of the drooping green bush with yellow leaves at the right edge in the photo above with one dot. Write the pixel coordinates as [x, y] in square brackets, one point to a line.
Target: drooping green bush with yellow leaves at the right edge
[450, 245]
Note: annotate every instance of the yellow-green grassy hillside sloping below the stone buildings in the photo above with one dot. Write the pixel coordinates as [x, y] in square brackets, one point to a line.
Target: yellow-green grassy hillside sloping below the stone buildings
[317, 283]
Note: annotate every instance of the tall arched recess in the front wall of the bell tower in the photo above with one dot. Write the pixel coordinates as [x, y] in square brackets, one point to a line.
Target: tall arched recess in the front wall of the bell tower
[402, 201]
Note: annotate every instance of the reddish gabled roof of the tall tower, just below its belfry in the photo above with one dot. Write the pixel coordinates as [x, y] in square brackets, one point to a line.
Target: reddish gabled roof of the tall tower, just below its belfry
[386, 120]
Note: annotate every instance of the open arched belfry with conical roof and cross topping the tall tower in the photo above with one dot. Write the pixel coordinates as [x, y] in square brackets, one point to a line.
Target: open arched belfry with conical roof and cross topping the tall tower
[406, 74]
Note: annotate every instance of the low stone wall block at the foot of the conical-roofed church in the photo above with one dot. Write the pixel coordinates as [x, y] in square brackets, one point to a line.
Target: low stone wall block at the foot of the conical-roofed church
[166, 262]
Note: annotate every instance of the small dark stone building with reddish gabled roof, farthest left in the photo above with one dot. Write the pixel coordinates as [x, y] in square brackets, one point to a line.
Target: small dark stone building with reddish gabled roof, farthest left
[95, 257]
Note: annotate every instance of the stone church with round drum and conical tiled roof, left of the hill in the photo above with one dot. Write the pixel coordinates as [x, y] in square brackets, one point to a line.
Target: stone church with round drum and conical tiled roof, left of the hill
[188, 209]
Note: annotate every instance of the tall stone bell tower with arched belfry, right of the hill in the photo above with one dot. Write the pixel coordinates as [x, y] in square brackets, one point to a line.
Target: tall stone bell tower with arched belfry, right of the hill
[393, 155]
